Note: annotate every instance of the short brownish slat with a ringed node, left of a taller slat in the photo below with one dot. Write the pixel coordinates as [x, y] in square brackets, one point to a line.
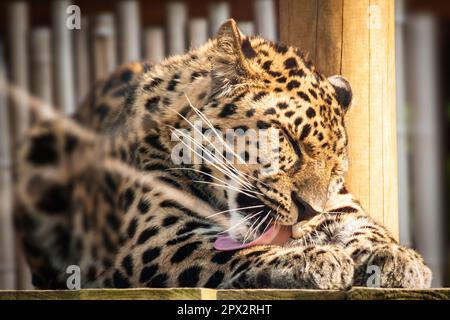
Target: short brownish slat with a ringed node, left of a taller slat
[104, 46]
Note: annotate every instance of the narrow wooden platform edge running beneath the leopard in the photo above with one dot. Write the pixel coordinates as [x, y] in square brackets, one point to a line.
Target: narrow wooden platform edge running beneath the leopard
[209, 294]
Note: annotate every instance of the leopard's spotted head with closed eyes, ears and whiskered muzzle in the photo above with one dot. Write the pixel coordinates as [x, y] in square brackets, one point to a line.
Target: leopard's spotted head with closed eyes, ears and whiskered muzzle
[270, 89]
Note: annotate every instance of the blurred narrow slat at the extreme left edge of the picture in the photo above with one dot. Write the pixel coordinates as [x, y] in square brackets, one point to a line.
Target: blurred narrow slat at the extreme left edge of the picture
[7, 257]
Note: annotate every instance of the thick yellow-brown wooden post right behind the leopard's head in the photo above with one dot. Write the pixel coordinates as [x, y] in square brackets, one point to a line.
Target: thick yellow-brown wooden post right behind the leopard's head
[356, 38]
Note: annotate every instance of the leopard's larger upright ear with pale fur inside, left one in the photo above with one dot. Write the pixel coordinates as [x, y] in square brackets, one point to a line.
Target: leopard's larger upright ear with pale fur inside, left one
[232, 58]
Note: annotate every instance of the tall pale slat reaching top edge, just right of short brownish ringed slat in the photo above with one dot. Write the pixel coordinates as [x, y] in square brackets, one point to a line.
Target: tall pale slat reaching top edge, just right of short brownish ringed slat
[129, 31]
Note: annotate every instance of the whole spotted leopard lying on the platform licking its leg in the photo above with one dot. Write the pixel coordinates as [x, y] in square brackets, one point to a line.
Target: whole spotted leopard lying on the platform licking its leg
[104, 190]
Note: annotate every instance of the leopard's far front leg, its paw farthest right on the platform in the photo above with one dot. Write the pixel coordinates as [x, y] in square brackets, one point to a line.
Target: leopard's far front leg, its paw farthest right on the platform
[379, 259]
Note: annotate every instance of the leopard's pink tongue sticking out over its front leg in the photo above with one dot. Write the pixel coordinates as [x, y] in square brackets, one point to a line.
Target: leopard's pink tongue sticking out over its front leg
[276, 235]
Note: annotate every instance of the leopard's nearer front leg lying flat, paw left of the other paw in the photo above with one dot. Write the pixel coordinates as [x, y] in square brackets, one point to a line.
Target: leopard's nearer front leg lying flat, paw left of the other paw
[310, 267]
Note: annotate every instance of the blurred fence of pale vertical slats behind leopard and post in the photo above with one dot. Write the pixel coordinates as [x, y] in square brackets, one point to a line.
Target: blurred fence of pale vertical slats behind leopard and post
[42, 55]
